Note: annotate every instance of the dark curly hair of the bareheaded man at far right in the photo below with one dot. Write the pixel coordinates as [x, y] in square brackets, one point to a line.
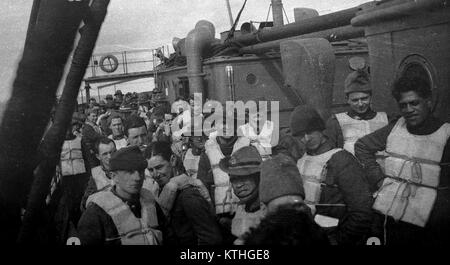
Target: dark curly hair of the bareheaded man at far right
[406, 84]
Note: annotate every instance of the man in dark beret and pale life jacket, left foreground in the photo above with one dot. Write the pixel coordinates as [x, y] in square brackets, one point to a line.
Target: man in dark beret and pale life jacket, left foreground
[123, 214]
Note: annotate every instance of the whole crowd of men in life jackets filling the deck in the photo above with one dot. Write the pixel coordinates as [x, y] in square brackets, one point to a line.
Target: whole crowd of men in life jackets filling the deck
[358, 175]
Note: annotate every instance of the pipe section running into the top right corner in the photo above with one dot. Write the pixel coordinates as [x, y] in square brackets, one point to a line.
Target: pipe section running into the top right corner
[392, 12]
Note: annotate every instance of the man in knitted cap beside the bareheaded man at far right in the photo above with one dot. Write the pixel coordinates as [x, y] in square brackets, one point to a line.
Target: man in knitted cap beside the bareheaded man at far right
[343, 129]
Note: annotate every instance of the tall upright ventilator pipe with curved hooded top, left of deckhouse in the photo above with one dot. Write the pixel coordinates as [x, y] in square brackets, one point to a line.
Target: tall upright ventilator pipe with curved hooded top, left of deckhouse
[197, 41]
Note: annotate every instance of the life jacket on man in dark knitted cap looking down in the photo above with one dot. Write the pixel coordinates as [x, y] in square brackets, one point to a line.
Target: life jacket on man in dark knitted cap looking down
[313, 170]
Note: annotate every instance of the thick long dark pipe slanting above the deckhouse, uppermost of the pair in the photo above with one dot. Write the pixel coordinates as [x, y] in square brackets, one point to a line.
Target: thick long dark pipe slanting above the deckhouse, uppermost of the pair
[332, 20]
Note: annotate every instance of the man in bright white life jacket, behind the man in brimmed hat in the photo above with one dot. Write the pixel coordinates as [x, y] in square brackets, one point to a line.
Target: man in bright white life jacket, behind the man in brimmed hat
[260, 131]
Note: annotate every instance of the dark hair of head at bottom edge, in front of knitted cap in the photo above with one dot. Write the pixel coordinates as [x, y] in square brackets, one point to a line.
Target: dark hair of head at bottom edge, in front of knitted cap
[287, 226]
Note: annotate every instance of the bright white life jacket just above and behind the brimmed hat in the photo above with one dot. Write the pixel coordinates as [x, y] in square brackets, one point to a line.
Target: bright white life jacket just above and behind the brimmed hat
[261, 141]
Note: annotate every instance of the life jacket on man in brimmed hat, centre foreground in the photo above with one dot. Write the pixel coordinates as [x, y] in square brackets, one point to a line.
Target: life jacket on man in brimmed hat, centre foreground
[243, 221]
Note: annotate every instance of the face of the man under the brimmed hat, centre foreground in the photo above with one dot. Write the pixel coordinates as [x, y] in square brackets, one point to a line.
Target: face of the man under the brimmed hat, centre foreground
[244, 187]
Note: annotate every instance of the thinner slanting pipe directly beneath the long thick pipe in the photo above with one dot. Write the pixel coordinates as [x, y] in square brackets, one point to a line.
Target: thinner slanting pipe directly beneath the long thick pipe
[336, 34]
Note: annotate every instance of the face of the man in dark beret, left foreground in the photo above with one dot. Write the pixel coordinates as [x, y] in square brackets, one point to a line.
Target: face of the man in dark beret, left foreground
[128, 182]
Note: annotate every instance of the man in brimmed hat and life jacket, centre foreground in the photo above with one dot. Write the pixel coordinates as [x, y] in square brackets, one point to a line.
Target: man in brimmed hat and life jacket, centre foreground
[243, 167]
